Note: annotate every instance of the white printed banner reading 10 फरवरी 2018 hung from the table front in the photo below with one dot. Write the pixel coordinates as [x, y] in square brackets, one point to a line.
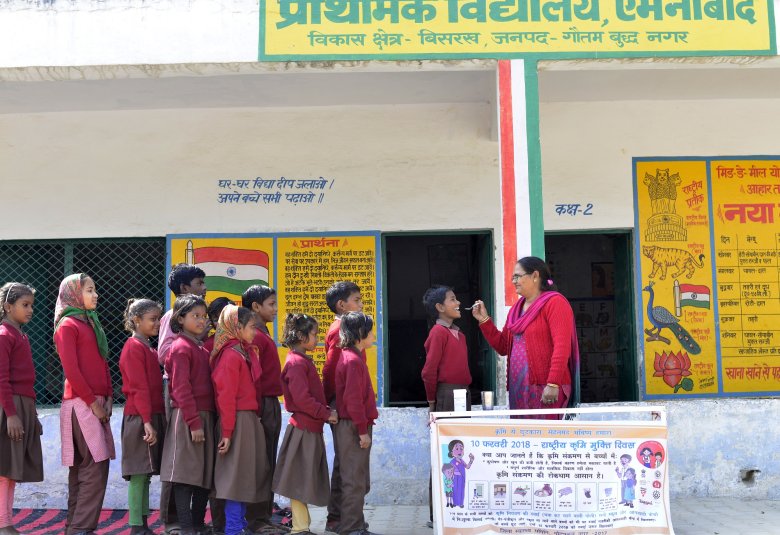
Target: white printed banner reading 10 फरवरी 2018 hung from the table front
[550, 477]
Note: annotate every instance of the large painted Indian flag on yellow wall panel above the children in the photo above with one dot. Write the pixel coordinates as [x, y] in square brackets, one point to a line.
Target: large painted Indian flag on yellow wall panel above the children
[231, 270]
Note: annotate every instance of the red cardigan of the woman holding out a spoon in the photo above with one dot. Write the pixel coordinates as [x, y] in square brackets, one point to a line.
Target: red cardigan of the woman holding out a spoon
[548, 339]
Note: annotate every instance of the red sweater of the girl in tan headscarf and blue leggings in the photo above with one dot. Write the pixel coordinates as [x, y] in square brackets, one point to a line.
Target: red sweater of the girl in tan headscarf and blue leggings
[234, 388]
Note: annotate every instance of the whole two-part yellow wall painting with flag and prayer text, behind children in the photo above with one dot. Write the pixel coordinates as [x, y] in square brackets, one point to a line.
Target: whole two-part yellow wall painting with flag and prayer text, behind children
[300, 267]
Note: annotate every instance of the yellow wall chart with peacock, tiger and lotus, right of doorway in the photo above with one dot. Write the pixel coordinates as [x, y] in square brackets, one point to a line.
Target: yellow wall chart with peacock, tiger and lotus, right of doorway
[707, 262]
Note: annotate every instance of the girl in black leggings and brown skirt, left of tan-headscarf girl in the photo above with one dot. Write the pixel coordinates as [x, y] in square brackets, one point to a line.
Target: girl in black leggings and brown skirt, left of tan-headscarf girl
[188, 452]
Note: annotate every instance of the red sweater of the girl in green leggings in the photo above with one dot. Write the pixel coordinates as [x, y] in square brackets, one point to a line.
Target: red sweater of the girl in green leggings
[141, 380]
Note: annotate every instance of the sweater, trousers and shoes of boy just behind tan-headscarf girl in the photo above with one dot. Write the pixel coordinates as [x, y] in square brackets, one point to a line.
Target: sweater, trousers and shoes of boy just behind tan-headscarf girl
[269, 388]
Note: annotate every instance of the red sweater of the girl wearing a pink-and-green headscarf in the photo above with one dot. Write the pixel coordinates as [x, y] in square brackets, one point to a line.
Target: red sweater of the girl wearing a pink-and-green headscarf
[86, 371]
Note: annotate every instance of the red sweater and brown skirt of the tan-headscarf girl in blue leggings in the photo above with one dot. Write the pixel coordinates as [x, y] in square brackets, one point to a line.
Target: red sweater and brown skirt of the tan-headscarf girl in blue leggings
[241, 474]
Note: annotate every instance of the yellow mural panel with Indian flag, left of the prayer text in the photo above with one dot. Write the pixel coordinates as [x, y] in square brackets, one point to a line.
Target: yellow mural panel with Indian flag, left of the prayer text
[231, 264]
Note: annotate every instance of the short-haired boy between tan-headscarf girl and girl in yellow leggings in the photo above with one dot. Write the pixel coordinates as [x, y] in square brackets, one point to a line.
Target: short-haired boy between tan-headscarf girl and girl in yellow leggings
[261, 300]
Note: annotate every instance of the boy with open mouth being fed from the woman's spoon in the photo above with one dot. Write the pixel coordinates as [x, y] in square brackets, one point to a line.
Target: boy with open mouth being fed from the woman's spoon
[446, 353]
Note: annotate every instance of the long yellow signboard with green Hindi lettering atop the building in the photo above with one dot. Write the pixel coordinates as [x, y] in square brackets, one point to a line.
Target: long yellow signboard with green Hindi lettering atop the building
[404, 29]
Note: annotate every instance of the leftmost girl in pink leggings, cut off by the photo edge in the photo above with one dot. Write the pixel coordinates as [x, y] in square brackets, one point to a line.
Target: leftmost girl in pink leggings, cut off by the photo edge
[21, 459]
